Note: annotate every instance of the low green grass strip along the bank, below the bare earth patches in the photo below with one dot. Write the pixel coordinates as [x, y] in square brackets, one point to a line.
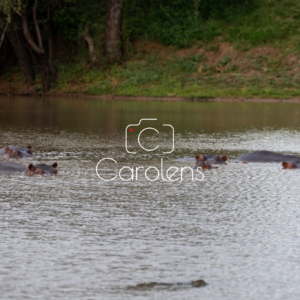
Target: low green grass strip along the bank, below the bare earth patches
[179, 77]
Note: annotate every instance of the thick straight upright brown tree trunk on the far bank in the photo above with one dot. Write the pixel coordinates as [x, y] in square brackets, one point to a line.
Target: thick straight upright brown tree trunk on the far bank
[113, 30]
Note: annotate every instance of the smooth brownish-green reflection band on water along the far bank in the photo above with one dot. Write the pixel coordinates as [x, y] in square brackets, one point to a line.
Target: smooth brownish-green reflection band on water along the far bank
[92, 115]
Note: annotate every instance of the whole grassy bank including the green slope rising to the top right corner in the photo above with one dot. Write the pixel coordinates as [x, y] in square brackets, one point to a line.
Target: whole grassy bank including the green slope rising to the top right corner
[256, 54]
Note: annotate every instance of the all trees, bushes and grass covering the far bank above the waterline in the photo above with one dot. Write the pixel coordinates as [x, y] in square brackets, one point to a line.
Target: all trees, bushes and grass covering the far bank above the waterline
[104, 46]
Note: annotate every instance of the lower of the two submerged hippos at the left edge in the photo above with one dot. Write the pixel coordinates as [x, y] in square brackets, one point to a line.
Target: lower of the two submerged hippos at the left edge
[12, 167]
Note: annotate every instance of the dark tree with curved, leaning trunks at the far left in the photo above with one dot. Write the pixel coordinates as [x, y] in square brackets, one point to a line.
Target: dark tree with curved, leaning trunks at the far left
[17, 13]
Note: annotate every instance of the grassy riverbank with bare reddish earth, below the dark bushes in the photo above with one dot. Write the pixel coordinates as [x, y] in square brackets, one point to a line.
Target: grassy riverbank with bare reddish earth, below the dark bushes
[214, 70]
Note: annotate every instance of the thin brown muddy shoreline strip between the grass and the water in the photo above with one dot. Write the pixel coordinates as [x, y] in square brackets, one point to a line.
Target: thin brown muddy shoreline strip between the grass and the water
[149, 98]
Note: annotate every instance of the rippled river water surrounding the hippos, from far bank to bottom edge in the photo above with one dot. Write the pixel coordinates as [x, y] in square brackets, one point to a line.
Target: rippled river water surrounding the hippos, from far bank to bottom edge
[75, 236]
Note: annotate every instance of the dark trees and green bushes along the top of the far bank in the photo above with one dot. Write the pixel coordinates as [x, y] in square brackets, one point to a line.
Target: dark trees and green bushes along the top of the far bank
[33, 25]
